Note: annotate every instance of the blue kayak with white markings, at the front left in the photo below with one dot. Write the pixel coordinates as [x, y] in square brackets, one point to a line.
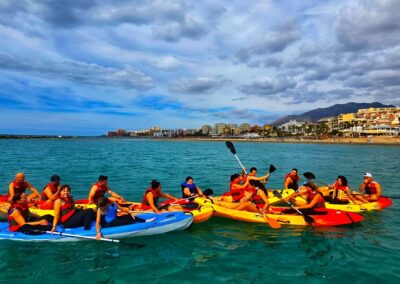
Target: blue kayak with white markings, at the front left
[162, 223]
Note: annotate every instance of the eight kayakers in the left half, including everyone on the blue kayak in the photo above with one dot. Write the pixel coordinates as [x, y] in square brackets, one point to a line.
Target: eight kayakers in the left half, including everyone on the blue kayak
[108, 211]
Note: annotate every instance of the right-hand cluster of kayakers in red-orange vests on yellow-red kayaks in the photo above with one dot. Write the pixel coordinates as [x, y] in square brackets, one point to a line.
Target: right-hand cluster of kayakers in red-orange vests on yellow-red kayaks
[248, 190]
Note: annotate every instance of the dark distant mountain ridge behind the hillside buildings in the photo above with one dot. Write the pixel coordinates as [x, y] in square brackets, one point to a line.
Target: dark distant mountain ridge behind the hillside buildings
[335, 110]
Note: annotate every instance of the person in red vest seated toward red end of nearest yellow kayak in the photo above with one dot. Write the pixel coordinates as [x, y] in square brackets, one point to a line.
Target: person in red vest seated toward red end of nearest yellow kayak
[315, 200]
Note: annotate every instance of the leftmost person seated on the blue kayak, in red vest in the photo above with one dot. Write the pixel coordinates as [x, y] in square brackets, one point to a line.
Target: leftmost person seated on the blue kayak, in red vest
[21, 220]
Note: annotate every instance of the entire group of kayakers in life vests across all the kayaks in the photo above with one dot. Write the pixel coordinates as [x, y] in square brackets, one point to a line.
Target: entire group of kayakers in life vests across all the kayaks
[246, 190]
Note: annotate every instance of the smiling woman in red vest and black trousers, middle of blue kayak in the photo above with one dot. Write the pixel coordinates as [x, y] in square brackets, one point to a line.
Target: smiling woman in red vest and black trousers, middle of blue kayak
[67, 214]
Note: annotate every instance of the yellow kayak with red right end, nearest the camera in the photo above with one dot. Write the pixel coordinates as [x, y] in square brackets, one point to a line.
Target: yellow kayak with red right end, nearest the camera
[329, 218]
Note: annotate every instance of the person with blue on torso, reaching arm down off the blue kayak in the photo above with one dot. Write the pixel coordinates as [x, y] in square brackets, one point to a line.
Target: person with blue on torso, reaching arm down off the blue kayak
[107, 215]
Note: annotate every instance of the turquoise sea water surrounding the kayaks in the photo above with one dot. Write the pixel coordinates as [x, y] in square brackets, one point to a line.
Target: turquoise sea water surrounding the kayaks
[218, 250]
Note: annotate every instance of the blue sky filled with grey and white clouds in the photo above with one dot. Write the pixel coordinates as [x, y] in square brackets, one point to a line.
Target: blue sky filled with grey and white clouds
[84, 67]
